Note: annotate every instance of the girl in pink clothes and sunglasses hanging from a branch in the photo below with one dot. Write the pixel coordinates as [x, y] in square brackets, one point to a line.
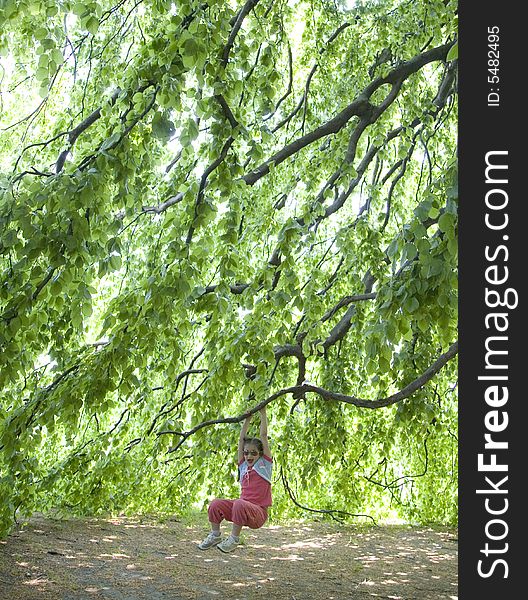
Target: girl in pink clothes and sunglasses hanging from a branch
[251, 509]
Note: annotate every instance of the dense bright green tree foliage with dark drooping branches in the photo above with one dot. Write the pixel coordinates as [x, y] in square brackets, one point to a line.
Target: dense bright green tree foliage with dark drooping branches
[208, 206]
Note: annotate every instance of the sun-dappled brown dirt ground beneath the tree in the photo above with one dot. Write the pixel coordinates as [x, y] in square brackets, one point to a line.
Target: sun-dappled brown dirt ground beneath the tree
[140, 559]
